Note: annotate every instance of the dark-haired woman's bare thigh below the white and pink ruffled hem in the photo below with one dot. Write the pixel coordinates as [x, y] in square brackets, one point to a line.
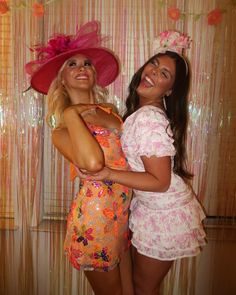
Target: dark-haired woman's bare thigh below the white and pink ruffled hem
[148, 273]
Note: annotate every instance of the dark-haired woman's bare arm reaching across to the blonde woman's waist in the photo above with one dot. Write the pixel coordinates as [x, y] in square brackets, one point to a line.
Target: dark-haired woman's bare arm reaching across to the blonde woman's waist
[156, 177]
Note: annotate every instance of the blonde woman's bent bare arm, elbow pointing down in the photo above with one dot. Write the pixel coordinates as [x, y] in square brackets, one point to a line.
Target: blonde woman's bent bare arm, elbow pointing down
[76, 142]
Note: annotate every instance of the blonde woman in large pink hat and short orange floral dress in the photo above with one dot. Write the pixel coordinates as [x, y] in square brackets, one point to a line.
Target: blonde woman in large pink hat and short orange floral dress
[87, 133]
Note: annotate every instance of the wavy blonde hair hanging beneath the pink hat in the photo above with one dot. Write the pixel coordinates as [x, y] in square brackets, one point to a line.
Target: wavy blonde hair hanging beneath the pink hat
[58, 100]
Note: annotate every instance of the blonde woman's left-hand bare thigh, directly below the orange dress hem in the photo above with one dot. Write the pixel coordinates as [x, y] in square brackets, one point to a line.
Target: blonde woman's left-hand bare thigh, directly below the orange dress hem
[105, 283]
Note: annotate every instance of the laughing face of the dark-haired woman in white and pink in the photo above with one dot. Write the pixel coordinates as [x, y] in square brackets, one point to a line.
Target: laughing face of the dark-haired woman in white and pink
[157, 80]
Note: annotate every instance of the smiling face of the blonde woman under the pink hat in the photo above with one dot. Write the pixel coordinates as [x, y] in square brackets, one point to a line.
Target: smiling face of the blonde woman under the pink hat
[78, 73]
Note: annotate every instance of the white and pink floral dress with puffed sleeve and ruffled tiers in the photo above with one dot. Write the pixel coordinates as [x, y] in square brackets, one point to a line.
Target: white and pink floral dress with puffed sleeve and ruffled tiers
[165, 225]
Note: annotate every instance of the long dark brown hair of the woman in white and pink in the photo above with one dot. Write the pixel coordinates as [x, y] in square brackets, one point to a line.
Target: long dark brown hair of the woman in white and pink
[176, 108]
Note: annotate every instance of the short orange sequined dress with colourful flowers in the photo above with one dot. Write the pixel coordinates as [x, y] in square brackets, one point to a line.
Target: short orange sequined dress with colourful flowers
[97, 224]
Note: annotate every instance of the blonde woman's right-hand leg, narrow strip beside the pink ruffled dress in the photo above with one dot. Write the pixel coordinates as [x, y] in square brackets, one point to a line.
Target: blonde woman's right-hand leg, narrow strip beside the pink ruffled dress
[126, 274]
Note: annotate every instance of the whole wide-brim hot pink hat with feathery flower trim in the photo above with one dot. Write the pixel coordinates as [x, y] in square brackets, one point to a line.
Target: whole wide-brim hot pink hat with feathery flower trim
[60, 48]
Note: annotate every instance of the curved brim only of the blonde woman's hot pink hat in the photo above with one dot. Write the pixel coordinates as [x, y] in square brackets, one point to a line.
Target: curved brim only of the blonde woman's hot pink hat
[104, 61]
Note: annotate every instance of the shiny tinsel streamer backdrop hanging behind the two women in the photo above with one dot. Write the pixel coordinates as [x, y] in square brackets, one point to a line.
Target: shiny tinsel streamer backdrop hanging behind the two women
[36, 191]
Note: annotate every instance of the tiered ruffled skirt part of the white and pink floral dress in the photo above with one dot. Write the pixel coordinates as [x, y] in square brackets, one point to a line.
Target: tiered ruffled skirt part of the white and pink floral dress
[167, 234]
